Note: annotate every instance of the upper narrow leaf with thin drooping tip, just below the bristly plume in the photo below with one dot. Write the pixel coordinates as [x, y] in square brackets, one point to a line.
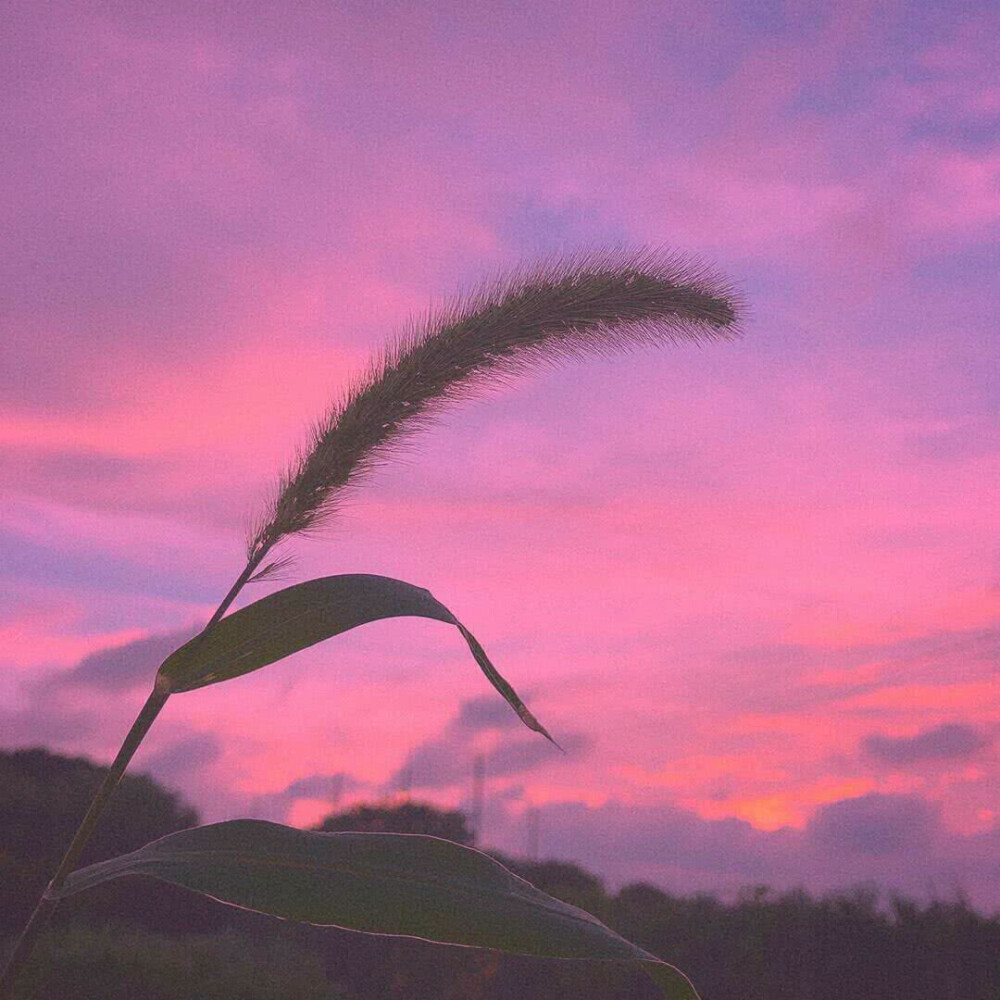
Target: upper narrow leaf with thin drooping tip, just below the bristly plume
[300, 616]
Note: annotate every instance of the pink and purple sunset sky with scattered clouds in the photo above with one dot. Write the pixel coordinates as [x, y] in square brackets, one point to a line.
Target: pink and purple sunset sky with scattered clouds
[753, 588]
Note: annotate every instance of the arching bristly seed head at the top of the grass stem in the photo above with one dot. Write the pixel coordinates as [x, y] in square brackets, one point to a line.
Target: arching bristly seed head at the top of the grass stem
[595, 303]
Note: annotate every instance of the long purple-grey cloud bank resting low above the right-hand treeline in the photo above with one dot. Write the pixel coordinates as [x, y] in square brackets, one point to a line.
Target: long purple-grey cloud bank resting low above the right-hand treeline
[895, 842]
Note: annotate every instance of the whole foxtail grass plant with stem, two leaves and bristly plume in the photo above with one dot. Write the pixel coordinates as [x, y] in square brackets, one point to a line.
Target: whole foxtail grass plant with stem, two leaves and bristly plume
[593, 304]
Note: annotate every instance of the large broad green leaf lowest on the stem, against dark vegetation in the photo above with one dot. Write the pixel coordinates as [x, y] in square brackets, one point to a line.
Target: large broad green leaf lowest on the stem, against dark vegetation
[379, 883]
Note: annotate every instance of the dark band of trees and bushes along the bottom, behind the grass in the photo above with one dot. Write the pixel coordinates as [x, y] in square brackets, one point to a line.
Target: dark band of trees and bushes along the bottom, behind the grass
[135, 939]
